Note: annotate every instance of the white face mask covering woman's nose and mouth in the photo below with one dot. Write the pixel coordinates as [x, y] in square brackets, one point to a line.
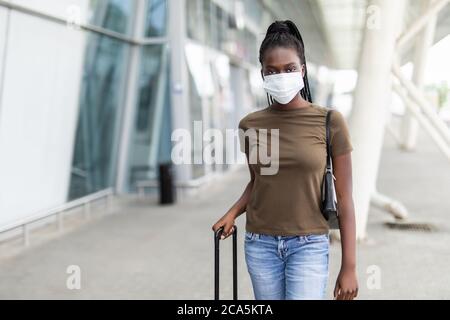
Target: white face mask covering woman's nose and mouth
[283, 87]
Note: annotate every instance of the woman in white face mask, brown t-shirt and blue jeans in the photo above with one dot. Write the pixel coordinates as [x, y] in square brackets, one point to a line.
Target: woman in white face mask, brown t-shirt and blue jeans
[286, 238]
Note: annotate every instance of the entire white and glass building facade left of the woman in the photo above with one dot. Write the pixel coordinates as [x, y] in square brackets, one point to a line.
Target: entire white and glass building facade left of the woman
[81, 107]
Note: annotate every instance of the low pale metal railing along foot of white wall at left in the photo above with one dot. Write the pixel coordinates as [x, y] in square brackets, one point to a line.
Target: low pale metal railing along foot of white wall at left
[59, 213]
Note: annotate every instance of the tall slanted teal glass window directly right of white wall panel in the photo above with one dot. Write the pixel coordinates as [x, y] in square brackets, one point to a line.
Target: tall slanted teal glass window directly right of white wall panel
[93, 165]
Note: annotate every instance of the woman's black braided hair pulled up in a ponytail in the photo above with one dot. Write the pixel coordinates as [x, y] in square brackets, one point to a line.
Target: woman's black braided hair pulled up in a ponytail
[286, 34]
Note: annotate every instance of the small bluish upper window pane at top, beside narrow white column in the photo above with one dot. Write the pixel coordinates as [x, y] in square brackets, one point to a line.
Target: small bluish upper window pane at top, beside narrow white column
[156, 18]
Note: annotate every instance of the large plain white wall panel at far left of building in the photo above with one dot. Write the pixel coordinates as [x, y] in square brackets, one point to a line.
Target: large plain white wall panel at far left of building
[38, 113]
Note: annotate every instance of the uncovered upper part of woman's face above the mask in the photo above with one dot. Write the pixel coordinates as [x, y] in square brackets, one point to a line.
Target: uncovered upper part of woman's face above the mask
[279, 60]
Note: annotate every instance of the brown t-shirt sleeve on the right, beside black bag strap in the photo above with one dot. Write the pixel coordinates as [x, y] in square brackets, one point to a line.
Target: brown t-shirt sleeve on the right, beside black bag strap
[339, 134]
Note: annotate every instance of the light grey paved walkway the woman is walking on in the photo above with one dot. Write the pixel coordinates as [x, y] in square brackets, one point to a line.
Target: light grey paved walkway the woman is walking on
[144, 251]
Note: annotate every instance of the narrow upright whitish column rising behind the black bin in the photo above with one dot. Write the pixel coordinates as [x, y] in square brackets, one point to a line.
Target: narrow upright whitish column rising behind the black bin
[179, 76]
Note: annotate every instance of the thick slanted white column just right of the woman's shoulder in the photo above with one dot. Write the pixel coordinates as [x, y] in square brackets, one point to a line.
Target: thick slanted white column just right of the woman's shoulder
[371, 99]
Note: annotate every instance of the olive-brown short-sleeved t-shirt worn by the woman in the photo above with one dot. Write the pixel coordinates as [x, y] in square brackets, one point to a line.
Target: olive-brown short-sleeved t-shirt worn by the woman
[288, 202]
